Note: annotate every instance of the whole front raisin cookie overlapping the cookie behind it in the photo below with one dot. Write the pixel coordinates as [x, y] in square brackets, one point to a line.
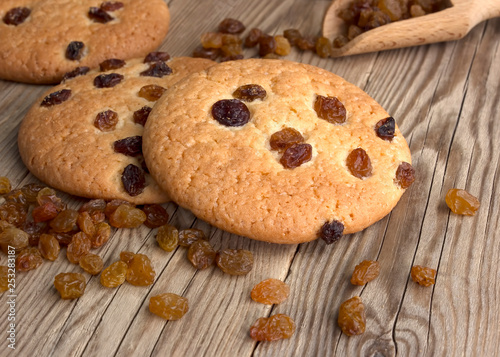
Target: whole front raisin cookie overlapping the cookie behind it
[233, 178]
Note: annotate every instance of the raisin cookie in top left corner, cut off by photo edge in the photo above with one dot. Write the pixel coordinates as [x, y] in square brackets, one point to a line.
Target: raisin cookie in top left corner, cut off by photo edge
[44, 39]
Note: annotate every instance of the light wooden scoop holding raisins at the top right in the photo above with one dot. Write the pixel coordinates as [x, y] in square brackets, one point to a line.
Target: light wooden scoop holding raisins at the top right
[450, 24]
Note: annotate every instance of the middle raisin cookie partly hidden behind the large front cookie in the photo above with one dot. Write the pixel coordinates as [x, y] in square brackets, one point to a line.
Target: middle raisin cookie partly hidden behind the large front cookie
[84, 135]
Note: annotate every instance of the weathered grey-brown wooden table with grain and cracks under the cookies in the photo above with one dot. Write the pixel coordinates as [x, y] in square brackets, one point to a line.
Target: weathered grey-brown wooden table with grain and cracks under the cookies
[445, 98]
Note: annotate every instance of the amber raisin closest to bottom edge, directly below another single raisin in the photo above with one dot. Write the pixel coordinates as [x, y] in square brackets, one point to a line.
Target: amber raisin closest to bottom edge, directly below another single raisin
[272, 328]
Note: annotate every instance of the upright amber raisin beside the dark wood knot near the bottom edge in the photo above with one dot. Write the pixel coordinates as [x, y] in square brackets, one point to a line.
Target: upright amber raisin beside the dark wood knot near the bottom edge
[352, 320]
